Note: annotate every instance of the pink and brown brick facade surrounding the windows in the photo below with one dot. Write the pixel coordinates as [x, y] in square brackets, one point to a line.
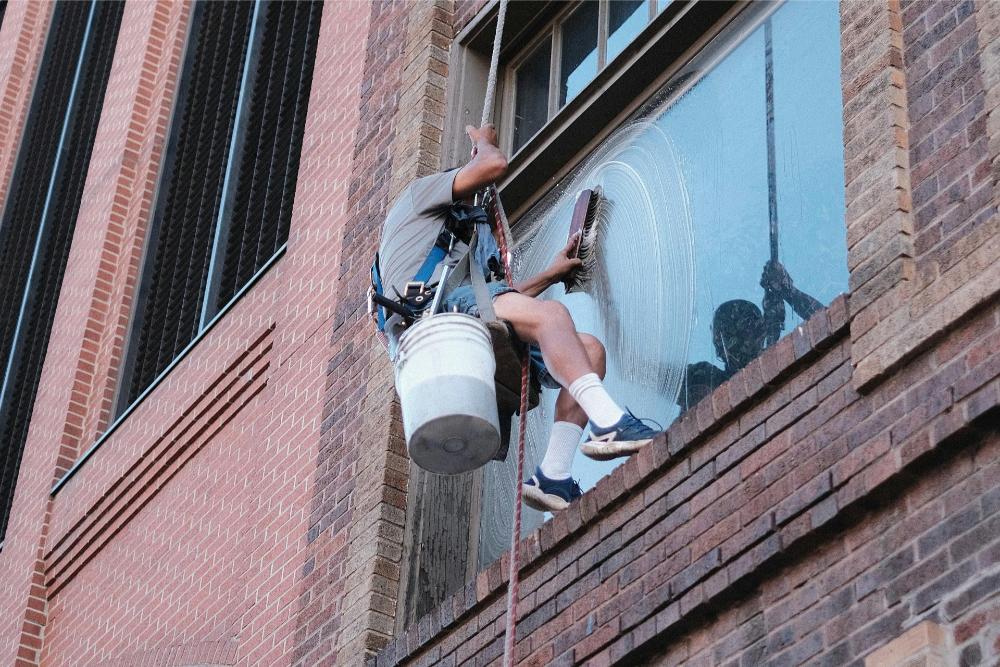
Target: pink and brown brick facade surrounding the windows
[834, 495]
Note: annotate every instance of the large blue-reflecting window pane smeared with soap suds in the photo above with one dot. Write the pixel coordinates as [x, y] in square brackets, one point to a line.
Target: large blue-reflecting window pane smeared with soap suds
[691, 272]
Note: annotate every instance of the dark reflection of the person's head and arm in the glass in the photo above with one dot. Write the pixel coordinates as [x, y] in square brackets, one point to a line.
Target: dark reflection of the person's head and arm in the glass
[741, 331]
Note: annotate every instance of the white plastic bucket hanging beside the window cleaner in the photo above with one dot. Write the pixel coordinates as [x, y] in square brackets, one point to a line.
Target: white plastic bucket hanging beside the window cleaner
[444, 376]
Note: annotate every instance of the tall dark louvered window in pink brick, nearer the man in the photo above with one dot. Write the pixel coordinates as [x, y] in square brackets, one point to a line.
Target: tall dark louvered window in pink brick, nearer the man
[229, 175]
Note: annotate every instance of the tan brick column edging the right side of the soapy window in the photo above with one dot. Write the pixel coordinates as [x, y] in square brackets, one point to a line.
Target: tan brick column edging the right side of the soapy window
[877, 177]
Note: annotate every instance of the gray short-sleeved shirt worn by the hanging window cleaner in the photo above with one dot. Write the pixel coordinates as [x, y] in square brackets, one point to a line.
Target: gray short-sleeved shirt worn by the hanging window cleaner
[411, 227]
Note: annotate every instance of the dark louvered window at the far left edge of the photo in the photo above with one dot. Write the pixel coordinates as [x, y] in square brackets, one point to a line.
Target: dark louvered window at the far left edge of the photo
[40, 216]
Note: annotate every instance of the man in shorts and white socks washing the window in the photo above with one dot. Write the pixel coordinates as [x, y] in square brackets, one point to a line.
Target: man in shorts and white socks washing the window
[573, 361]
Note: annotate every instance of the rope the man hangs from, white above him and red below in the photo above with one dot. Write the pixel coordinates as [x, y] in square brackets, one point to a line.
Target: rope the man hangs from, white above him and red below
[500, 218]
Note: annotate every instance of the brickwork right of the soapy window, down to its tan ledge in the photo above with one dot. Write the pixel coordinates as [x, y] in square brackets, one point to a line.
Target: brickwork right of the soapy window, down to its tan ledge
[924, 253]
